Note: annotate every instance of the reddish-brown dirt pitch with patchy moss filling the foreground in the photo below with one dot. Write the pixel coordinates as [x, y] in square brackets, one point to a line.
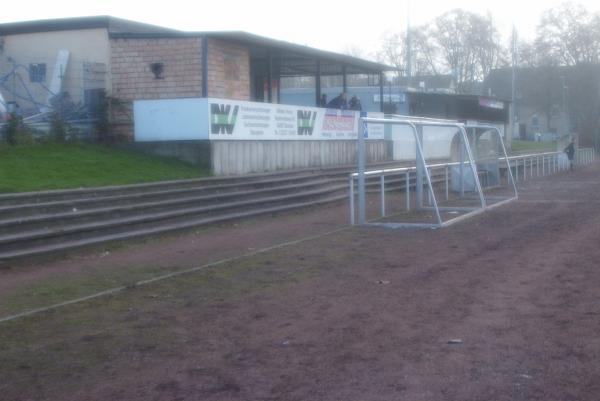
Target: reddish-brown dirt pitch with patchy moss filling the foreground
[505, 306]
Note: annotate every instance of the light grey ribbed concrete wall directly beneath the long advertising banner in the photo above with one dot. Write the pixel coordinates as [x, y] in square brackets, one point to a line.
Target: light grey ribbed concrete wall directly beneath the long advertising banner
[241, 157]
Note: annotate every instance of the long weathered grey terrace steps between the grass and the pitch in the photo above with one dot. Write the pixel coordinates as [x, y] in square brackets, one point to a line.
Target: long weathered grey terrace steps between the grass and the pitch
[52, 221]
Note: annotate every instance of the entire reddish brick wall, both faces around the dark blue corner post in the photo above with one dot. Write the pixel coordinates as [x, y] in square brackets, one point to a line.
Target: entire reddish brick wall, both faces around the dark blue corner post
[181, 58]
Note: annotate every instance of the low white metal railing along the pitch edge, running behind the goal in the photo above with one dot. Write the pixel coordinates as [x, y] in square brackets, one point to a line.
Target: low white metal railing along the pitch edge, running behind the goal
[530, 165]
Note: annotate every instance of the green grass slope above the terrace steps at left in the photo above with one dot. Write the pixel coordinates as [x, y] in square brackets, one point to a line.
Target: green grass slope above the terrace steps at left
[57, 166]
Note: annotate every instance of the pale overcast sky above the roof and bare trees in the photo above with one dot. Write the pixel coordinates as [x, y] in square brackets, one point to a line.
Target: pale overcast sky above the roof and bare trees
[326, 24]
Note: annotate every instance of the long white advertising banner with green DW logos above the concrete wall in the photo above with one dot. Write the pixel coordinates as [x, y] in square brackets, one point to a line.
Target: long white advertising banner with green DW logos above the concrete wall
[221, 119]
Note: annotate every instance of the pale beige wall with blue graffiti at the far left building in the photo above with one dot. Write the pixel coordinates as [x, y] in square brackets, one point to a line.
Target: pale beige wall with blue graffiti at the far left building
[85, 46]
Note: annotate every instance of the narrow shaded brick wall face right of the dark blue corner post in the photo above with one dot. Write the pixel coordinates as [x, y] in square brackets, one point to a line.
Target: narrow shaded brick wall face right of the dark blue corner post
[228, 70]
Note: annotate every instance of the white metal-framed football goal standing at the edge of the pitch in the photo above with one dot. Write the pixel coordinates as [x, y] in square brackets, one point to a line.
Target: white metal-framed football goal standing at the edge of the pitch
[456, 166]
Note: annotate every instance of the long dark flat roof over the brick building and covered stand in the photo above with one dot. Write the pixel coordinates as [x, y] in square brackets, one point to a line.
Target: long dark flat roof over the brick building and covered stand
[293, 59]
